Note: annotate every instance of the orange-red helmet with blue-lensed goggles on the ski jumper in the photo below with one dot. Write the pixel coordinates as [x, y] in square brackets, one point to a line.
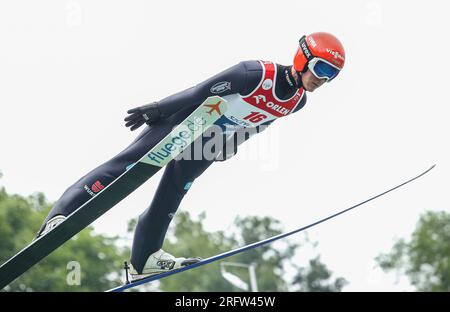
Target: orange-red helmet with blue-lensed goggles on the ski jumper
[322, 53]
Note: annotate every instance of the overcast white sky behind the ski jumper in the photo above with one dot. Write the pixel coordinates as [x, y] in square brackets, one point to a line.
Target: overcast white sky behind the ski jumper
[69, 70]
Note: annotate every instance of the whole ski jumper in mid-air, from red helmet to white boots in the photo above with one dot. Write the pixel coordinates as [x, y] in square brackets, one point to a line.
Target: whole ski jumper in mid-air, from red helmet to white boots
[257, 93]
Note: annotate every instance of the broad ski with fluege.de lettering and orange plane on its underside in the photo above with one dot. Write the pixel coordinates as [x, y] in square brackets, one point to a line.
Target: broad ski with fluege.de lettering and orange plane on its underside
[173, 144]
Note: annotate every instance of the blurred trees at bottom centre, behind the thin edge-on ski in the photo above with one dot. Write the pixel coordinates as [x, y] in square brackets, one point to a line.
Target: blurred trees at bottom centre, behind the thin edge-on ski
[274, 265]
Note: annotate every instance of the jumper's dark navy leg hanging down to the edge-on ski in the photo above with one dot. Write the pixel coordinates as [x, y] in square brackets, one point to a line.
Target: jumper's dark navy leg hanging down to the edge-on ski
[153, 223]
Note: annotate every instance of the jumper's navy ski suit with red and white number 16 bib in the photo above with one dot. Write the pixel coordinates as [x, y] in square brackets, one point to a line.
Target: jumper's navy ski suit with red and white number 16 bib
[257, 92]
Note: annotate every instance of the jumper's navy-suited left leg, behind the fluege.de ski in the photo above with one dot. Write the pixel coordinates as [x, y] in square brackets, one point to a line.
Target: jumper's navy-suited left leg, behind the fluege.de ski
[93, 182]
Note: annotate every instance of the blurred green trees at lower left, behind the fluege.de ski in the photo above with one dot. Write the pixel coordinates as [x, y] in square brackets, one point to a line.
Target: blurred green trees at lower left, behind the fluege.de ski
[95, 255]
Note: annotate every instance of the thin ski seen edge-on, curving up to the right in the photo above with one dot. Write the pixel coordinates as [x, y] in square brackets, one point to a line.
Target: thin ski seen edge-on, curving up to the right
[256, 244]
